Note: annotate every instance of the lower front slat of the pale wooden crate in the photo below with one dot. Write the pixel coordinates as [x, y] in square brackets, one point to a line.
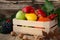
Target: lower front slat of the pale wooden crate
[27, 30]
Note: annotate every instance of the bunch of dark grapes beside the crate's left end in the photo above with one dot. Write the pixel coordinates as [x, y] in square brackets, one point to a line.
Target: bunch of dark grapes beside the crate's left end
[6, 27]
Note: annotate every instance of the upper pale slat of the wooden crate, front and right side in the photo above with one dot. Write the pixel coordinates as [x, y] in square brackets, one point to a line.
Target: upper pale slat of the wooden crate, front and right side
[47, 24]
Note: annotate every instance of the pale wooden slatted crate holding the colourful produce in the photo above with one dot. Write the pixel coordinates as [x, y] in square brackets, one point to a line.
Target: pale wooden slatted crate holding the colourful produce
[48, 26]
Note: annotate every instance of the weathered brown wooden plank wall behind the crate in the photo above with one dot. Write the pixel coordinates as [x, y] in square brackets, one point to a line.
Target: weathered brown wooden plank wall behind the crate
[7, 5]
